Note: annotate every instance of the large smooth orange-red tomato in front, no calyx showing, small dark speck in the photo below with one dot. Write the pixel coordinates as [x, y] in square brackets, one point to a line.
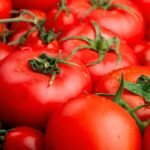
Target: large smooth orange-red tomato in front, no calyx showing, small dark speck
[92, 123]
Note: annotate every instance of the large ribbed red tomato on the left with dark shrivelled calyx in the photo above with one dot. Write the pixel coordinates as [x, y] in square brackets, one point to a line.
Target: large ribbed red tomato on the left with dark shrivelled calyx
[30, 92]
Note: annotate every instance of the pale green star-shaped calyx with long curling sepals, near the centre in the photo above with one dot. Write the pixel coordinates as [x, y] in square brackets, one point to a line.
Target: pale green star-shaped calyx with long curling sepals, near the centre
[100, 45]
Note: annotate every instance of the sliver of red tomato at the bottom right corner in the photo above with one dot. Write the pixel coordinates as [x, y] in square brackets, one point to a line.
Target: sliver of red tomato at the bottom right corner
[146, 135]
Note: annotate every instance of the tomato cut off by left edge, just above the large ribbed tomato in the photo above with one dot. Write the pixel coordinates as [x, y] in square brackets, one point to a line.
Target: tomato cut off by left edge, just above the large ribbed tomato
[5, 50]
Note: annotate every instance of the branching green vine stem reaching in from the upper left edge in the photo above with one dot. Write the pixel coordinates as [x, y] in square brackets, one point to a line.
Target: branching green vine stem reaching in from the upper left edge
[38, 24]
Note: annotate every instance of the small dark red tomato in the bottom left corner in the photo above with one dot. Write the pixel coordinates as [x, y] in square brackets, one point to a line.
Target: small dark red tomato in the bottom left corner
[24, 138]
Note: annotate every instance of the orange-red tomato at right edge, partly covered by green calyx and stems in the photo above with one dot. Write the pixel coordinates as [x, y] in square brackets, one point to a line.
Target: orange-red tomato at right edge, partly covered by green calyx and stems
[109, 84]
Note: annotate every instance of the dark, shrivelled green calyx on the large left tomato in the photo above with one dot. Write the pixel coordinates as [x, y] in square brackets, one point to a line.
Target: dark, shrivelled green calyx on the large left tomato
[48, 65]
